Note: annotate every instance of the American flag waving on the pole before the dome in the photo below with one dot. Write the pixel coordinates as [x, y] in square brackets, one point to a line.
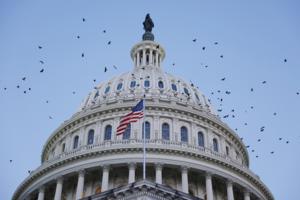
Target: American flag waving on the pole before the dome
[136, 113]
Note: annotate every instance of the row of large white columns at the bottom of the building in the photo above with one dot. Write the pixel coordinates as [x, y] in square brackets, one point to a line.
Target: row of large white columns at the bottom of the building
[132, 178]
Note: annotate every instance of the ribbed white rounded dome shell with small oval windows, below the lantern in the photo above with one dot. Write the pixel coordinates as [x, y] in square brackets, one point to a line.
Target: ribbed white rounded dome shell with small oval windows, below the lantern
[148, 80]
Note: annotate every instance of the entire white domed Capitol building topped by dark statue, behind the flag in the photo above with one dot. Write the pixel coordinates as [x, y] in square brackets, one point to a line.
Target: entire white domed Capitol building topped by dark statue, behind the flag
[191, 153]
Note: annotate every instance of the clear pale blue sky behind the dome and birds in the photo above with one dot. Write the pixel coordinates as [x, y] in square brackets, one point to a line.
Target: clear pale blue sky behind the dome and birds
[254, 38]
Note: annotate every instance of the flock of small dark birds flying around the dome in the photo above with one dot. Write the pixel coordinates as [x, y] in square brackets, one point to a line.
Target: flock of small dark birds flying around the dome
[217, 93]
